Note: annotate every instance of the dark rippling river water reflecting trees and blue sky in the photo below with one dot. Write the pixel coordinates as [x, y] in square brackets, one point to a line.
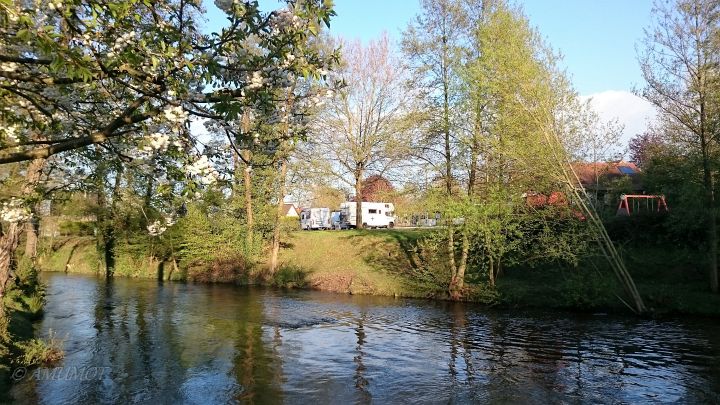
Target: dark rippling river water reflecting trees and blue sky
[132, 341]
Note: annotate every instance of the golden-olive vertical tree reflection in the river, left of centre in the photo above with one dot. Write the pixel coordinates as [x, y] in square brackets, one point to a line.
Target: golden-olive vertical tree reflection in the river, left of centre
[255, 367]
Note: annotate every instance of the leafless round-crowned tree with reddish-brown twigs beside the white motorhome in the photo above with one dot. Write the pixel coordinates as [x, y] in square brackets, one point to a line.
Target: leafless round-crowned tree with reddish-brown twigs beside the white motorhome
[364, 127]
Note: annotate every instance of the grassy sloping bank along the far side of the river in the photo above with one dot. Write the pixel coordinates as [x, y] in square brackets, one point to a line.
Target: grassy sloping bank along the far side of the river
[388, 262]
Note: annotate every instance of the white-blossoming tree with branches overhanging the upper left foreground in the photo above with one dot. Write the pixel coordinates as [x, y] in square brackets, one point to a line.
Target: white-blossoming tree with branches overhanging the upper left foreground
[124, 78]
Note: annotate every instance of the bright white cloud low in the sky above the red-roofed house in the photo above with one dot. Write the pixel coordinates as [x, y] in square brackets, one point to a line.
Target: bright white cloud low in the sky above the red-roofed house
[632, 111]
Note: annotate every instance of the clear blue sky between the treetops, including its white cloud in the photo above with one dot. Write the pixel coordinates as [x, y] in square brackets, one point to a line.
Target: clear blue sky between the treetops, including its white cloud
[597, 39]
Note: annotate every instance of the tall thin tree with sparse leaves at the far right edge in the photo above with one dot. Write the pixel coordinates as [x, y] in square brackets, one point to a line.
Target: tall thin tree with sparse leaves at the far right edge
[680, 66]
